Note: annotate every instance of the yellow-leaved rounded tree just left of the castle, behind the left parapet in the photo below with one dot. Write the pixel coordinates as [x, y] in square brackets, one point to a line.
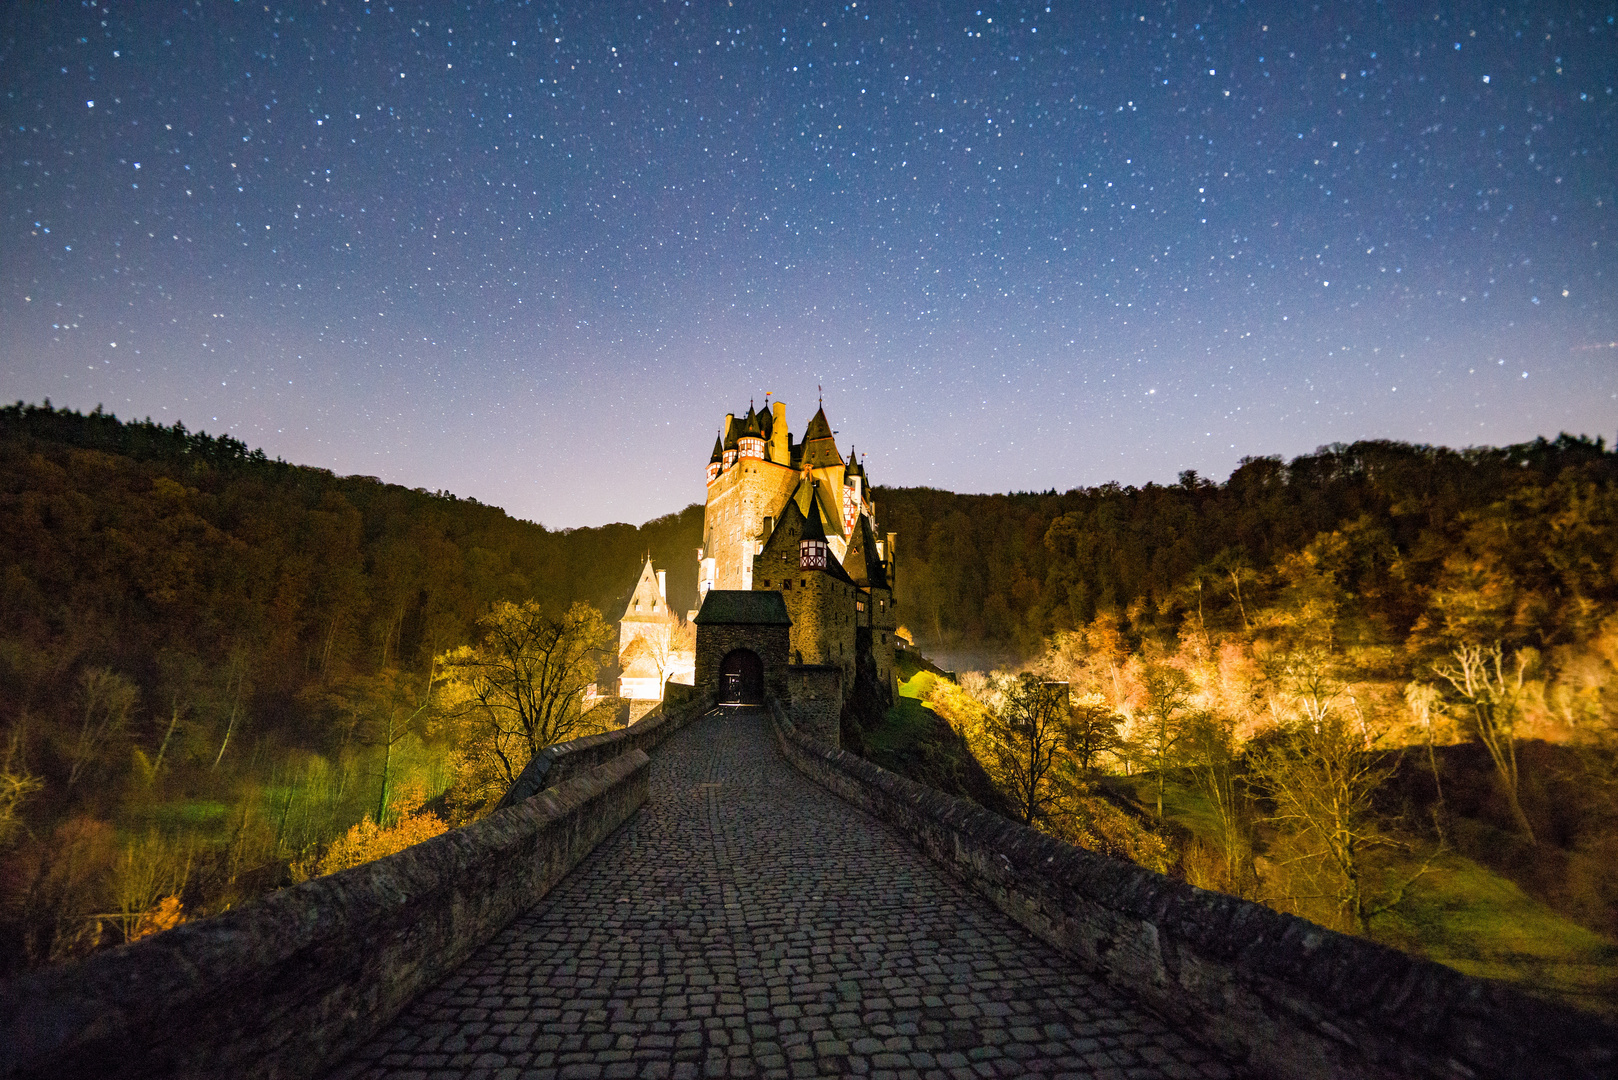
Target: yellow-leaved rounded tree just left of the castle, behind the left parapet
[519, 689]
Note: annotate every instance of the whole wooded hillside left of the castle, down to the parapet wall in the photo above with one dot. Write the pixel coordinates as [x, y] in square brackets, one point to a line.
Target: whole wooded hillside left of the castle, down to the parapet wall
[213, 666]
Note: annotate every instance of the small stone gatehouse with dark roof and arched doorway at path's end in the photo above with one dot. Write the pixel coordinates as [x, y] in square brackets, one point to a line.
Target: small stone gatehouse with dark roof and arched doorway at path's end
[743, 640]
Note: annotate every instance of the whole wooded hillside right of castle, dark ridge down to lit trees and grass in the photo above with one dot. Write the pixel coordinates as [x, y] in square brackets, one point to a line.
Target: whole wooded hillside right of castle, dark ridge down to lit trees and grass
[1376, 686]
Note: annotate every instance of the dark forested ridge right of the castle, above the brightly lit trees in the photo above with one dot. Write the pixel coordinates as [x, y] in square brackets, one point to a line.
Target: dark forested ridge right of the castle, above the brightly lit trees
[1415, 545]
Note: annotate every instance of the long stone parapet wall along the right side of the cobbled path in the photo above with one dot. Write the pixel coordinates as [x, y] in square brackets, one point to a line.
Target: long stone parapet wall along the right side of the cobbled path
[1282, 995]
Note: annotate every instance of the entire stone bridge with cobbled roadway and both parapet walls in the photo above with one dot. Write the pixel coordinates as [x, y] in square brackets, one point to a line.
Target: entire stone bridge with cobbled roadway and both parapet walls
[713, 893]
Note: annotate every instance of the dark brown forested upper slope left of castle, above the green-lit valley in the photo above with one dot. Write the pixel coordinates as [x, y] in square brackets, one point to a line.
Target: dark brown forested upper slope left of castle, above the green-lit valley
[151, 550]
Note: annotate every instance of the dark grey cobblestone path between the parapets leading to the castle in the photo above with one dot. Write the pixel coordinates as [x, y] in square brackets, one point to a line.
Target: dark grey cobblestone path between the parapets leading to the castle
[748, 924]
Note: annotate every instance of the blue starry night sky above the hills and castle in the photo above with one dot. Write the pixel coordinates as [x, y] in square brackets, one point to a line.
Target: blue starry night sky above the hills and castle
[533, 253]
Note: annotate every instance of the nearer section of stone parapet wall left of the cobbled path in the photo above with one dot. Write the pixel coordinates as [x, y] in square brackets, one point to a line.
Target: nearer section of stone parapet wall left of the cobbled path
[290, 984]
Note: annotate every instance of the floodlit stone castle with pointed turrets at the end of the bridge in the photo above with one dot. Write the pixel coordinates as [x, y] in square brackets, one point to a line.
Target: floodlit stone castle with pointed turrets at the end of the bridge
[794, 525]
